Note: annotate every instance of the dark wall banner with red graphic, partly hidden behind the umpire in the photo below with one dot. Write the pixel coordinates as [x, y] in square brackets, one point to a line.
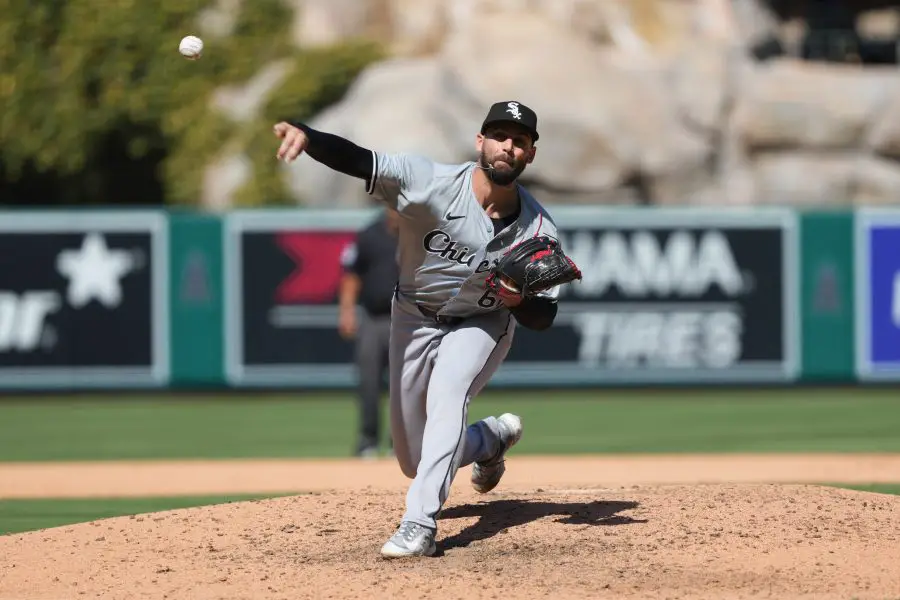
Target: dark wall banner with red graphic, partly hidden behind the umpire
[283, 274]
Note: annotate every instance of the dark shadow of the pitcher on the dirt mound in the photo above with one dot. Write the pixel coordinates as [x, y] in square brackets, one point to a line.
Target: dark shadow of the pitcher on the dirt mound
[499, 515]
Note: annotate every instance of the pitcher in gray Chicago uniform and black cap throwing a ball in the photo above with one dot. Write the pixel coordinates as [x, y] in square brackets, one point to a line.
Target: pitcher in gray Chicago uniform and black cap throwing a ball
[477, 255]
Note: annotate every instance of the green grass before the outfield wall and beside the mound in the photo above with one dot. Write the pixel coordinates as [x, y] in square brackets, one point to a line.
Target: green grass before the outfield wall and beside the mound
[323, 425]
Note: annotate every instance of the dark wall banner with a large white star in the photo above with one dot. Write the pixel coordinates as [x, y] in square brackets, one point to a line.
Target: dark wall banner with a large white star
[83, 299]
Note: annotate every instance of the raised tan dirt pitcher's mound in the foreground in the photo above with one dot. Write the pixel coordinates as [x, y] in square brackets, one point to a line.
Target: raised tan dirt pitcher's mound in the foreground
[713, 541]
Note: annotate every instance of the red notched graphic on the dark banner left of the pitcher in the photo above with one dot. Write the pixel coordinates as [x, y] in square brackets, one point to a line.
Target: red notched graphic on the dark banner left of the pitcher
[317, 271]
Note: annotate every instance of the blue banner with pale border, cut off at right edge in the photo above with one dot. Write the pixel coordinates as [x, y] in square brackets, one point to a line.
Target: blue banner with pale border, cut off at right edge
[878, 294]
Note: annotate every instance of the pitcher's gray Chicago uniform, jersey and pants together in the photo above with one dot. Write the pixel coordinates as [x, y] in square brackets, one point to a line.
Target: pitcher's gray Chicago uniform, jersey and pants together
[446, 247]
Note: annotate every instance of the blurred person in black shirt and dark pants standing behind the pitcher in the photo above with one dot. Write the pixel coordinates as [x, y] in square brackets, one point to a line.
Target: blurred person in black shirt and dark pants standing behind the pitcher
[370, 275]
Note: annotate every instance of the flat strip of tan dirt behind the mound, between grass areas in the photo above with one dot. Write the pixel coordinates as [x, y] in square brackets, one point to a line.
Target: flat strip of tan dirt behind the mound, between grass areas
[200, 477]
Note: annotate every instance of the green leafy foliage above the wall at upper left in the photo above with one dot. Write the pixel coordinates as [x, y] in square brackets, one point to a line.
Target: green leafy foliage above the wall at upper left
[98, 106]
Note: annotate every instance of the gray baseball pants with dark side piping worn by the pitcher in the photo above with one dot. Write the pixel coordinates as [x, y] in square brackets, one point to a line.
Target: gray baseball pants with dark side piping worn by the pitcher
[435, 371]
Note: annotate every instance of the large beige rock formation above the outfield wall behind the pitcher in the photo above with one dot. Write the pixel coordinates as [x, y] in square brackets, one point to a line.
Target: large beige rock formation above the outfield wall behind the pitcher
[639, 102]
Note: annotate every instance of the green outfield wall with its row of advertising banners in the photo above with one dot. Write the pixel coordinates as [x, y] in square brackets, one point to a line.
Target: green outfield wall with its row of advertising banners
[156, 299]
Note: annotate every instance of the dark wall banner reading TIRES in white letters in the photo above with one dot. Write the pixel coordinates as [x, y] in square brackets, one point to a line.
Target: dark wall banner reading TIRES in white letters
[670, 296]
